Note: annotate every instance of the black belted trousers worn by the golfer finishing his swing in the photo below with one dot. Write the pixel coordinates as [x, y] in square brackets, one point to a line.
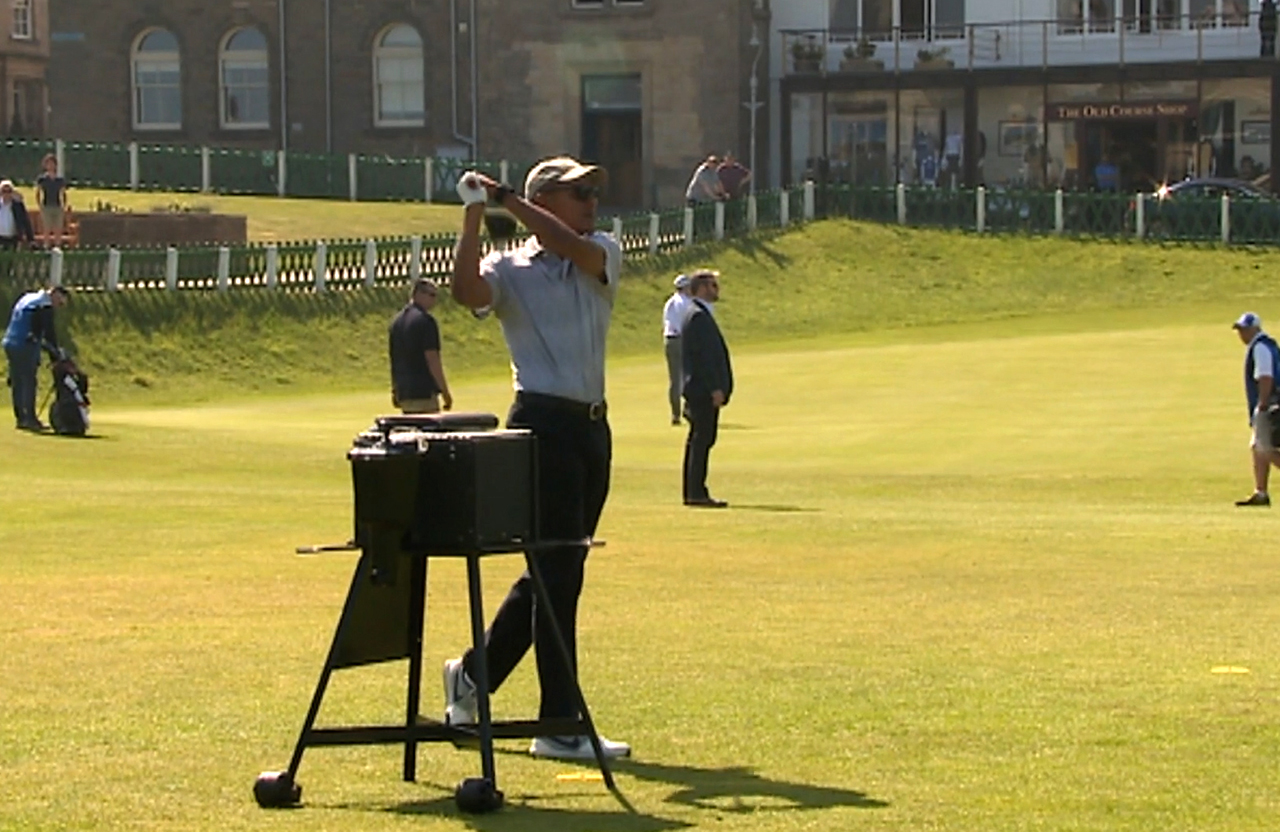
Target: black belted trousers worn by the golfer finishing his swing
[574, 458]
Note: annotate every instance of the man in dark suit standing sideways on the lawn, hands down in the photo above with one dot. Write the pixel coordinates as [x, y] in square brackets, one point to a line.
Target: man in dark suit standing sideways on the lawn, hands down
[708, 385]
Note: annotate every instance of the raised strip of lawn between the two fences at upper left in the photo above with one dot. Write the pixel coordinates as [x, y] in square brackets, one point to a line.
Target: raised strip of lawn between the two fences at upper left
[276, 220]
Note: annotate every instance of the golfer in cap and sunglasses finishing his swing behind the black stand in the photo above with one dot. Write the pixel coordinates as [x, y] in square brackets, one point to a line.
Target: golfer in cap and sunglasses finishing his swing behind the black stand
[554, 296]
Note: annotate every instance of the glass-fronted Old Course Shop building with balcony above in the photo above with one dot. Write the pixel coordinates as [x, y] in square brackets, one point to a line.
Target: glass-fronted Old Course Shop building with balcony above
[1104, 95]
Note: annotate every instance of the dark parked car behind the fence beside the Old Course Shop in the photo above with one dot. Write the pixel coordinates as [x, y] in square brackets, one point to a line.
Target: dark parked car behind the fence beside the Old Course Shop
[1192, 209]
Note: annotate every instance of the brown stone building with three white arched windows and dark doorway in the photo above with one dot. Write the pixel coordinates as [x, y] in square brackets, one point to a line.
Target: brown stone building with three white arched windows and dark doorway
[643, 86]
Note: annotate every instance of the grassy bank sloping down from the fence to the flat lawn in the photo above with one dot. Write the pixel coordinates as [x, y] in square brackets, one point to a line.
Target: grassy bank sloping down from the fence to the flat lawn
[830, 281]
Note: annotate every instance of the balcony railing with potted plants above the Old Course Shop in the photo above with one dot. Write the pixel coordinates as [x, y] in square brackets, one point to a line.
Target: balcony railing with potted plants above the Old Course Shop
[1027, 44]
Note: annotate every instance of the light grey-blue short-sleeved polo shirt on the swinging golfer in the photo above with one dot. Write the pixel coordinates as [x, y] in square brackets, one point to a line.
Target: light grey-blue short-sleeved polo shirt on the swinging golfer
[555, 317]
